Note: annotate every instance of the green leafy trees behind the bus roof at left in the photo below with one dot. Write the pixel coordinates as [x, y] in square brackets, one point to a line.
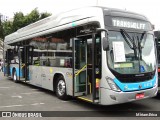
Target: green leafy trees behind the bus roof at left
[20, 20]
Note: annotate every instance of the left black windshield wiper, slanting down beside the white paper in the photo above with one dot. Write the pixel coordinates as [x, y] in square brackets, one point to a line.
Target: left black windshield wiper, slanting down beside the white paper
[129, 40]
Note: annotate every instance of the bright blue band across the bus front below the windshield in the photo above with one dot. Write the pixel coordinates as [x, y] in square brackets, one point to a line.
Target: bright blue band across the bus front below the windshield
[126, 87]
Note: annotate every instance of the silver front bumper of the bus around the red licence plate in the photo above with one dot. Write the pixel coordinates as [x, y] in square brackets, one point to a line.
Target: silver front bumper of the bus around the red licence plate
[109, 97]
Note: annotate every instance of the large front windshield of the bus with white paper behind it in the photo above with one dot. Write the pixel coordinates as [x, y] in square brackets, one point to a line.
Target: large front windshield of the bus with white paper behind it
[131, 53]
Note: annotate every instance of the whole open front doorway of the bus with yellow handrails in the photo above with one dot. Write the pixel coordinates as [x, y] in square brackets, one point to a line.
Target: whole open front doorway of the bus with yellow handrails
[86, 67]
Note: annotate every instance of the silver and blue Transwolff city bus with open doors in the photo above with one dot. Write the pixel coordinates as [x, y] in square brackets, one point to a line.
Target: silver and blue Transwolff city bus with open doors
[101, 55]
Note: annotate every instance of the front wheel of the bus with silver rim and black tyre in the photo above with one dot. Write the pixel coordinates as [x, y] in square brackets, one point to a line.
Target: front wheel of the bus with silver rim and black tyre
[61, 88]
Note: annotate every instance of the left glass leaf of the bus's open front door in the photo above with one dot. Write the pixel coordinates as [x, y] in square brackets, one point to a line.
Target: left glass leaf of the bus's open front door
[79, 67]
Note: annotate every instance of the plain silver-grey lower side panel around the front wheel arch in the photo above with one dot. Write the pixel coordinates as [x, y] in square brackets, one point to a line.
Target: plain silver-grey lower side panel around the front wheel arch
[42, 76]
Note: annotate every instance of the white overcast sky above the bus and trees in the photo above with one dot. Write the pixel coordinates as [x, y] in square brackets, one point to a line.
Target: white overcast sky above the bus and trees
[149, 8]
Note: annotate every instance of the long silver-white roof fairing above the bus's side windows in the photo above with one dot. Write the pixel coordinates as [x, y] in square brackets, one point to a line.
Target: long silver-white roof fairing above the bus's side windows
[54, 23]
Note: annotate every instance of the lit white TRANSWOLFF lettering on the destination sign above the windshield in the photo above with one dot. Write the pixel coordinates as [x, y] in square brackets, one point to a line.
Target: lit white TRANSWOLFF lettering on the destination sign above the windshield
[128, 23]
